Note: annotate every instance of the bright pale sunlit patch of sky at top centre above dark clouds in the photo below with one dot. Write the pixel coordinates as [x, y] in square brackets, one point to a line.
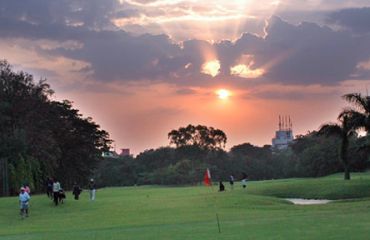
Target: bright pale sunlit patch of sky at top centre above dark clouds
[187, 19]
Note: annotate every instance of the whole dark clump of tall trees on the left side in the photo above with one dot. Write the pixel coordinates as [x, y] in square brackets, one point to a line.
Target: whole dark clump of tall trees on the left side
[41, 138]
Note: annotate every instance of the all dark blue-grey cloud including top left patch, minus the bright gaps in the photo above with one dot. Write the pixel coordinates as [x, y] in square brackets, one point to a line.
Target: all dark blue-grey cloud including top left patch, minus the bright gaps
[291, 54]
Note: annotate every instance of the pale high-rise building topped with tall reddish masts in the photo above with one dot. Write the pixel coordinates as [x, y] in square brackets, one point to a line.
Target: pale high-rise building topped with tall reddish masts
[284, 135]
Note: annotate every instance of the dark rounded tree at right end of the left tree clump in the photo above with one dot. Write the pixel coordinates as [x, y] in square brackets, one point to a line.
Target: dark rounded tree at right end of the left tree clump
[80, 141]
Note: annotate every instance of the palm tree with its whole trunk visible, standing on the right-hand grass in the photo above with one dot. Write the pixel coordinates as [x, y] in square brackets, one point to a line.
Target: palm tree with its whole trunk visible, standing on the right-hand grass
[344, 131]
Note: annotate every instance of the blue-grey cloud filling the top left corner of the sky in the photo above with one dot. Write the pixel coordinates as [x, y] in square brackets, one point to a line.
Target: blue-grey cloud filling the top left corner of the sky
[93, 14]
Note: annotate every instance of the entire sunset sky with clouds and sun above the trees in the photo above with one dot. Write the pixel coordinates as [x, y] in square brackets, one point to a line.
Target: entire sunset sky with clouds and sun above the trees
[141, 68]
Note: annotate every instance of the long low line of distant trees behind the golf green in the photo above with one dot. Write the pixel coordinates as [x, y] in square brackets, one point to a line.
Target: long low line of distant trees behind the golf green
[310, 155]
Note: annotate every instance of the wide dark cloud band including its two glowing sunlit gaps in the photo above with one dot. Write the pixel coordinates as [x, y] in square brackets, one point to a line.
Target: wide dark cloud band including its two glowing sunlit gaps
[299, 54]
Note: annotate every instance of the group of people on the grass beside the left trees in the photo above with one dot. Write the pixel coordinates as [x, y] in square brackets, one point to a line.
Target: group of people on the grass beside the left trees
[54, 191]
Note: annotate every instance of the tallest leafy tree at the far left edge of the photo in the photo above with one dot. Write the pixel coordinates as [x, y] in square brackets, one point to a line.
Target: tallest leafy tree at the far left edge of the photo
[22, 102]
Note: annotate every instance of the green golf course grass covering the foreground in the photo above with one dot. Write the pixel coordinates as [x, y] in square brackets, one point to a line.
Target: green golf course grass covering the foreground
[190, 212]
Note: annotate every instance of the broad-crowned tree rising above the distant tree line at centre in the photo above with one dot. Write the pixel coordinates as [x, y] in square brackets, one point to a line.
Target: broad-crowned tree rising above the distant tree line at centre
[202, 136]
